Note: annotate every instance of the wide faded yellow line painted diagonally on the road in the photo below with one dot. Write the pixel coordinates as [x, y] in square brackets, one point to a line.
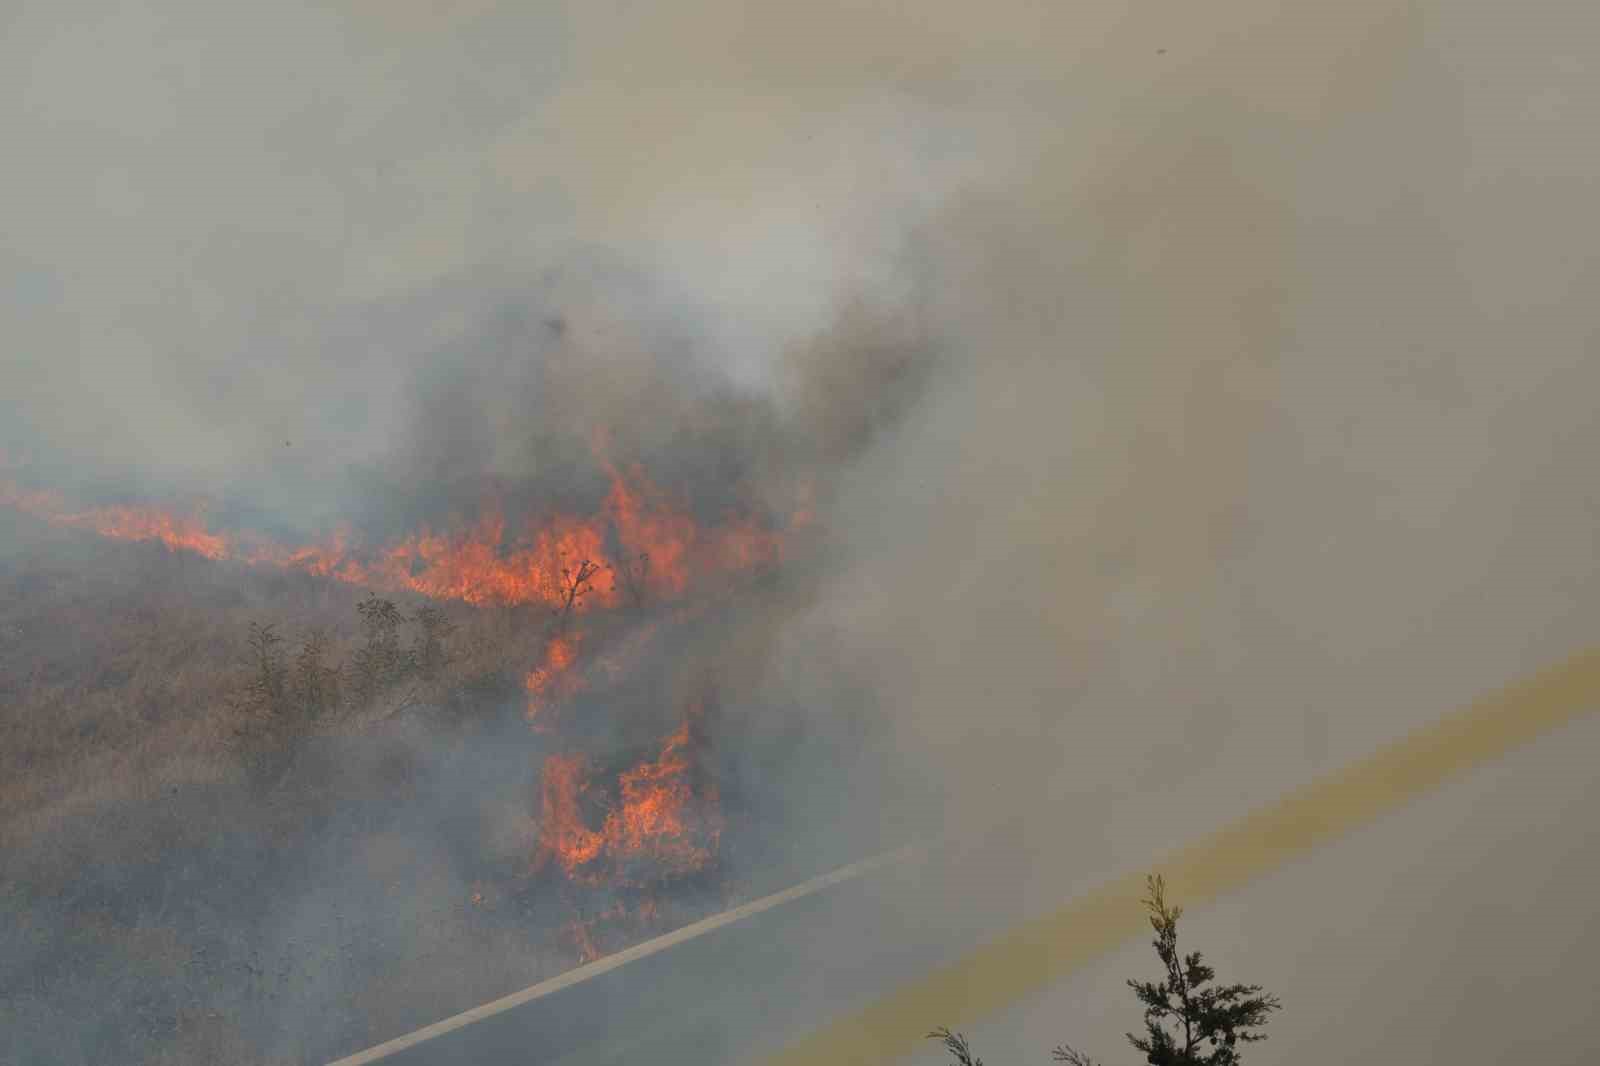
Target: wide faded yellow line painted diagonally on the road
[1042, 952]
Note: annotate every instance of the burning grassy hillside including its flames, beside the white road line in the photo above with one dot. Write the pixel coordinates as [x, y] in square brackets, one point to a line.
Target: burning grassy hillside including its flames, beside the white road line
[340, 856]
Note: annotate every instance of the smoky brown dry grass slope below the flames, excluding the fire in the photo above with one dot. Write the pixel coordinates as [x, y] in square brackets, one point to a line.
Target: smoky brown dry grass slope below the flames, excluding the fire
[175, 894]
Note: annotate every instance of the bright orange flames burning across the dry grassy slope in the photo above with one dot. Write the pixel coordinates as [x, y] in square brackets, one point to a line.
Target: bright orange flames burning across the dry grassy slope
[634, 830]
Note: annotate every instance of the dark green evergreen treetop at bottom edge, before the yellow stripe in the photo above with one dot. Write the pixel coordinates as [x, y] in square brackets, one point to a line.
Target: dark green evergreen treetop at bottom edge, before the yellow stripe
[1185, 1022]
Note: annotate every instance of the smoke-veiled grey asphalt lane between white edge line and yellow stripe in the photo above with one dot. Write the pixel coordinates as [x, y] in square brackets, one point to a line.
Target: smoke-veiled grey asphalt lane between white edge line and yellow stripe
[750, 985]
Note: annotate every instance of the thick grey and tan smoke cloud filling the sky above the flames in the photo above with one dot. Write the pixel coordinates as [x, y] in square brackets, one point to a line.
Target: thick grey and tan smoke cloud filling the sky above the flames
[1193, 396]
